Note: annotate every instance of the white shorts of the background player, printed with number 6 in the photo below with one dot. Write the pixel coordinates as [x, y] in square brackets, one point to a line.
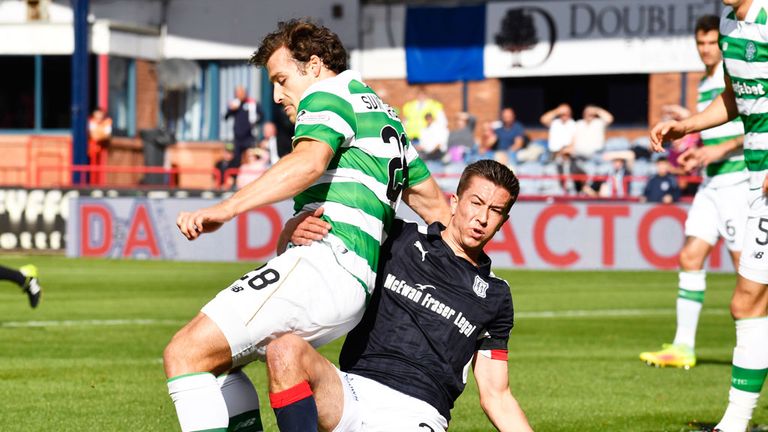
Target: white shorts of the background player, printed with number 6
[719, 212]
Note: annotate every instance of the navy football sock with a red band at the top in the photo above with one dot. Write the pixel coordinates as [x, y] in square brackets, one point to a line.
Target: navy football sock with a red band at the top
[295, 409]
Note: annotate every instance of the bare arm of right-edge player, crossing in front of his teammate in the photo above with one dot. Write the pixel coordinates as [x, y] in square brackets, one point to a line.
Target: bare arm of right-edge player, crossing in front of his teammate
[722, 109]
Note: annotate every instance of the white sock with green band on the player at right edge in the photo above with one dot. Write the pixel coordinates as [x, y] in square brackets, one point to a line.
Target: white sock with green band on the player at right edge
[750, 364]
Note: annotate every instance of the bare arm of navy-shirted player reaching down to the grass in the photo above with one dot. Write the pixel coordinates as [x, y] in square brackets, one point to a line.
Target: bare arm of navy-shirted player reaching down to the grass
[495, 398]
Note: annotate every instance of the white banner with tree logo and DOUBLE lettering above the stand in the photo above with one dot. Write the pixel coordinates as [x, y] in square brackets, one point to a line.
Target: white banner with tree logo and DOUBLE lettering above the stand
[539, 38]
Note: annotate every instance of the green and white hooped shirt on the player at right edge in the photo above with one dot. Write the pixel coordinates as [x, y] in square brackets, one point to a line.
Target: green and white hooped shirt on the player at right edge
[745, 53]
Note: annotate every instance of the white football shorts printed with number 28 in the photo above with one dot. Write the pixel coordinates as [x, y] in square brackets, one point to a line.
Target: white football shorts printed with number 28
[304, 291]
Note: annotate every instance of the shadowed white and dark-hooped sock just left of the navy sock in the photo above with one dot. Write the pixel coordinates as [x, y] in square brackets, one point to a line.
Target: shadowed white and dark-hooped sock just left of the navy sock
[242, 401]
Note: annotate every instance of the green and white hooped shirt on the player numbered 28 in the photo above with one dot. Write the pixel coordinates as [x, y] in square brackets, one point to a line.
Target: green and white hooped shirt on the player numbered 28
[373, 163]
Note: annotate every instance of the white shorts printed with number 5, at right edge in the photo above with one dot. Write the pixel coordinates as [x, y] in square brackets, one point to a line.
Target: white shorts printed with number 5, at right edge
[754, 258]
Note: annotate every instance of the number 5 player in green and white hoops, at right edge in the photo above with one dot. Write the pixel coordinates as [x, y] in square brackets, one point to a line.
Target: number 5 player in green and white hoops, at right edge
[744, 42]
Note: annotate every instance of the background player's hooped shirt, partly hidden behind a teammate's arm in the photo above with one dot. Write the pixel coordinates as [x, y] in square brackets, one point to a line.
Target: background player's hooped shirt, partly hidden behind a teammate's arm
[730, 170]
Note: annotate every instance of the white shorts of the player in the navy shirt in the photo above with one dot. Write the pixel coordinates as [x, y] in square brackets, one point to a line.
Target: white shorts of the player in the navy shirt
[370, 406]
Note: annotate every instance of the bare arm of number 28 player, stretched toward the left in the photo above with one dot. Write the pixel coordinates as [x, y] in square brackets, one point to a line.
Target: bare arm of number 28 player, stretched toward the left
[291, 175]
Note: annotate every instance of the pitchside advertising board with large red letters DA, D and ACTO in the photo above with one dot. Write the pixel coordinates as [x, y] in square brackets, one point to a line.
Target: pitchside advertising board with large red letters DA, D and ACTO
[579, 235]
